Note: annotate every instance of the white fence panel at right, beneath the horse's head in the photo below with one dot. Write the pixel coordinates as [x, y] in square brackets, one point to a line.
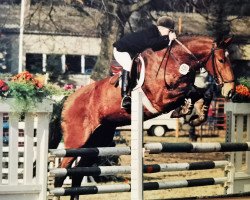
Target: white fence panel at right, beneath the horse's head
[238, 130]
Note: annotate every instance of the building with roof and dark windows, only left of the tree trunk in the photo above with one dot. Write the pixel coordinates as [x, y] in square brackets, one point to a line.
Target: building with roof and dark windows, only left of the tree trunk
[70, 49]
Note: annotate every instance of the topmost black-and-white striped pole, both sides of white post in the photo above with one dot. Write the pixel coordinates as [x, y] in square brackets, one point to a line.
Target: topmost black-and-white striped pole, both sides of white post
[154, 148]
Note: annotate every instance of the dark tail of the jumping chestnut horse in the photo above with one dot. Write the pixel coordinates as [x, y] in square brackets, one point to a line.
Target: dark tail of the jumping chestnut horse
[55, 130]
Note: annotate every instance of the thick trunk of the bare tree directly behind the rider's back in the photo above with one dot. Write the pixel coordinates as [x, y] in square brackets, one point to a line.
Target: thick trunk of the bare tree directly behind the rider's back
[115, 15]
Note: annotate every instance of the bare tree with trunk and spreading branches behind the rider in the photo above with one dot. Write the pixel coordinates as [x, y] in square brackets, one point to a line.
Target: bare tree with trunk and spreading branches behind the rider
[114, 14]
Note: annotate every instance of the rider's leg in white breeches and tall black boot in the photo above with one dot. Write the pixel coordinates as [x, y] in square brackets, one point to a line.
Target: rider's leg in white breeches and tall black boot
[124, 59]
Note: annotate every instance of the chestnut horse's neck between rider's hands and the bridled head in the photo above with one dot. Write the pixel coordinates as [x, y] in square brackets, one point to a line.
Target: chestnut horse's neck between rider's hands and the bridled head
[164, 67]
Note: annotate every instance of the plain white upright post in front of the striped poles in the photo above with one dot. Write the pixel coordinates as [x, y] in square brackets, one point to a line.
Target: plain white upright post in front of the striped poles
[136, 146]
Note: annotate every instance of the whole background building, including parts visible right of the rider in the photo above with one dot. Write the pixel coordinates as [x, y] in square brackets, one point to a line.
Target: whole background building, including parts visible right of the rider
[61, 40]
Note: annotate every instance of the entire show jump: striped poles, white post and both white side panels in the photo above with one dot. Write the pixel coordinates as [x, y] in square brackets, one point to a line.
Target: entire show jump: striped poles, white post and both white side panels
[20, 182]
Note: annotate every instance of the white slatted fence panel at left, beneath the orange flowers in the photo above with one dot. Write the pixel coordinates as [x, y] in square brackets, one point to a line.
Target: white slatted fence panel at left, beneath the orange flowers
[19, 180]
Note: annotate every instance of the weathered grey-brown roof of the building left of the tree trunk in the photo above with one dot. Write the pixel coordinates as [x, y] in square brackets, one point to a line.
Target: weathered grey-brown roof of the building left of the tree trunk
[63, 20]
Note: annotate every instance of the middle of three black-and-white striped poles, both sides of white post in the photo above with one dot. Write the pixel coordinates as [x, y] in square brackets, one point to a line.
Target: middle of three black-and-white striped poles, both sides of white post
[113, 170]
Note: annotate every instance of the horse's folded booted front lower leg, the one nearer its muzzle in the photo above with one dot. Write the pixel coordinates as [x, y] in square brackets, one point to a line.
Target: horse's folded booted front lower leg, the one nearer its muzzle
[202, 109]
